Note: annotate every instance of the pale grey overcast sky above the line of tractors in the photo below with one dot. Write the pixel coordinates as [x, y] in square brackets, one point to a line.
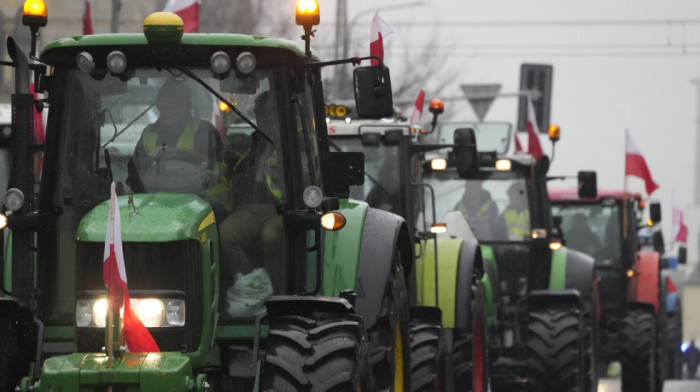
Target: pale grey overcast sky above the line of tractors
[617, 65]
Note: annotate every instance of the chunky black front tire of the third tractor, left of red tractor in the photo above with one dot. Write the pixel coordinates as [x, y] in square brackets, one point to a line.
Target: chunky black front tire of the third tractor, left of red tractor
[554, 343]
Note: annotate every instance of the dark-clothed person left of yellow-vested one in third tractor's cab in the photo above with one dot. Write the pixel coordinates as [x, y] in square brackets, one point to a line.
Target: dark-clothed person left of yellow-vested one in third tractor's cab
[478, 208]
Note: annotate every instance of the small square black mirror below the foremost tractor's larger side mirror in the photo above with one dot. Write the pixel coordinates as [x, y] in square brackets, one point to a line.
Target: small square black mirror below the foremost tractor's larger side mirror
[347, 168]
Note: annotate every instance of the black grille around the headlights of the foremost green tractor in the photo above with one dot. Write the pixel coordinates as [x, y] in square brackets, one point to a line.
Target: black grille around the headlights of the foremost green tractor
[150, 266]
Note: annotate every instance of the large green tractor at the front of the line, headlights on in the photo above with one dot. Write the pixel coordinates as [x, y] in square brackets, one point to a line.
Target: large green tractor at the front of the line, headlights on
[235, 257]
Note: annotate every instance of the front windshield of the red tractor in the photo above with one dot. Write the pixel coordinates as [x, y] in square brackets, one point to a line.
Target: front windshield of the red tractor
[592, 228]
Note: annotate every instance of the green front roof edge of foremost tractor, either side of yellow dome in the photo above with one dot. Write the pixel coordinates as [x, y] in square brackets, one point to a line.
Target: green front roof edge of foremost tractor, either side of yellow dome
[187, 39]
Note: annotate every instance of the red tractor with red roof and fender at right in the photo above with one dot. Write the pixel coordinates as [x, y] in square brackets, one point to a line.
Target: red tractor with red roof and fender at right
[633, 320]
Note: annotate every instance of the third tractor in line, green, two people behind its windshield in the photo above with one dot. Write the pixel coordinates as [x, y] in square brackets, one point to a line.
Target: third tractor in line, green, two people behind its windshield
[541, 305]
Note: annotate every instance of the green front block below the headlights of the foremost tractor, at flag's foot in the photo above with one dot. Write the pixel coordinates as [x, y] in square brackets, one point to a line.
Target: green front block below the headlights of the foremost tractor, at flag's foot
[132, 371]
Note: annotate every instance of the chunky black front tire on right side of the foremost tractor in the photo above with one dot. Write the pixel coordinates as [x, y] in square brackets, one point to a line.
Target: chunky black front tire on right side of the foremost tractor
[325, 353]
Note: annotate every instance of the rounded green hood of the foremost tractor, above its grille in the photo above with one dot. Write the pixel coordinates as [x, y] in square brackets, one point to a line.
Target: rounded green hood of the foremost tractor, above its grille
[154, 217]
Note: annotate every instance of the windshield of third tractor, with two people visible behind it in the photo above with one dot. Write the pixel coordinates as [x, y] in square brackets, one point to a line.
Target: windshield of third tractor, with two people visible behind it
[495, 209]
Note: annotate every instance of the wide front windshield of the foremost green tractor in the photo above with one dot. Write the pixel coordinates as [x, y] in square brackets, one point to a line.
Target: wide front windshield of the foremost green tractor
[157, 132]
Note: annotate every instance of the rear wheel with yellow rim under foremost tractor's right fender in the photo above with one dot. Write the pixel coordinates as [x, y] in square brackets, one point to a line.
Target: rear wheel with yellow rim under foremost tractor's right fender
[389, 337]
